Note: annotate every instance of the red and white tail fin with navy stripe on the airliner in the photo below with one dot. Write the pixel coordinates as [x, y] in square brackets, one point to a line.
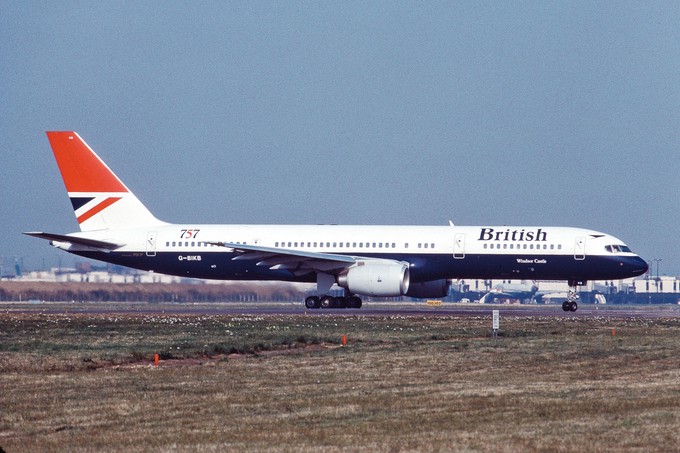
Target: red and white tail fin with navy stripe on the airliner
[100, 199]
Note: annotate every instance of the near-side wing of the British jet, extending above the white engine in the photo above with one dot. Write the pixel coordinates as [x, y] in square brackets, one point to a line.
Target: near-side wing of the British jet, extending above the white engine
[296, 261]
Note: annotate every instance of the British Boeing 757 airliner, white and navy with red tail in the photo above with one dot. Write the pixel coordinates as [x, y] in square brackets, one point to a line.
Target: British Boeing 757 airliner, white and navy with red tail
[370, 260]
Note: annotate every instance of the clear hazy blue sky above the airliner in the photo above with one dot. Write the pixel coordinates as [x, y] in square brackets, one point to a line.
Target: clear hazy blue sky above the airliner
[485, 113]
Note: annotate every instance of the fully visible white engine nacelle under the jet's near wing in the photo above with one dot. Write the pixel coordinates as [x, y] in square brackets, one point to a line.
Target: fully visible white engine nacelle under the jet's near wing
[381, 278]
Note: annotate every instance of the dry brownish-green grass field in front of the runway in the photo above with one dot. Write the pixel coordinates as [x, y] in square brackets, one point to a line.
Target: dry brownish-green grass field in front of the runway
[86, 382]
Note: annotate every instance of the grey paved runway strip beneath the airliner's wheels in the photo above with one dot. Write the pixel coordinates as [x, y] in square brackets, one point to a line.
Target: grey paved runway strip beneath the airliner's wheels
[377, 309]
